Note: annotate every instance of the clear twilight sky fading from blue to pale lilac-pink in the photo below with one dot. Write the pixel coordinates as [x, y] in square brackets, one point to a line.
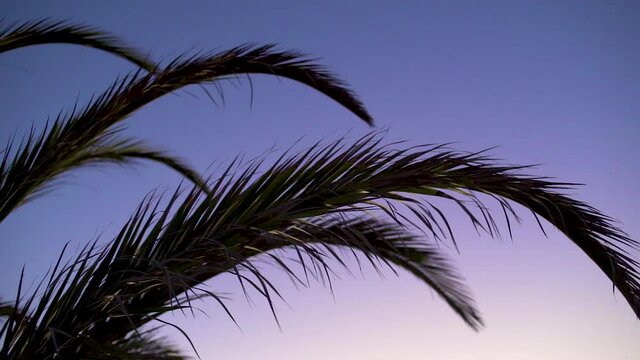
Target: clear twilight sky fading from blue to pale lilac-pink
[549, 82]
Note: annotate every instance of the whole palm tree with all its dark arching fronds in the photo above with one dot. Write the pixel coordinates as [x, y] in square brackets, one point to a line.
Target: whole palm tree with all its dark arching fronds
[361, 196]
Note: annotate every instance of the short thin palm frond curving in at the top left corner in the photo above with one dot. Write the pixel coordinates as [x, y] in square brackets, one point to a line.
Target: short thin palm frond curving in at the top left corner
[46, 31]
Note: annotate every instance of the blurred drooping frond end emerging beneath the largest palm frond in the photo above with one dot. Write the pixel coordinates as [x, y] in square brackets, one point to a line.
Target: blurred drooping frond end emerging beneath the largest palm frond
[385, 241]
